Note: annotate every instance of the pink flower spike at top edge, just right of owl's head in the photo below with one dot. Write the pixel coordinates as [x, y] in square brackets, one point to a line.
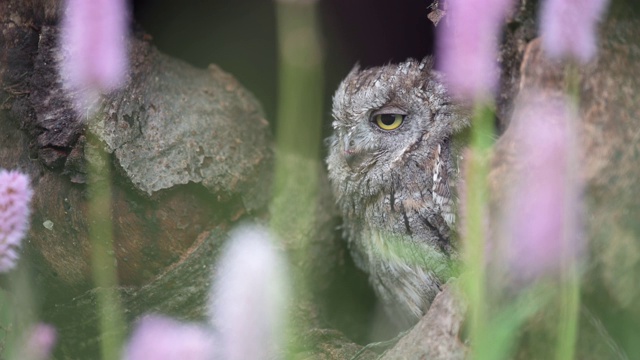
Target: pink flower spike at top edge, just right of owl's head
[468, 46]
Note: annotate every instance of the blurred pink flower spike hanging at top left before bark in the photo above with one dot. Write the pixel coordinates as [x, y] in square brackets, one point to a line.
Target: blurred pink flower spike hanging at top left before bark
[94, 40]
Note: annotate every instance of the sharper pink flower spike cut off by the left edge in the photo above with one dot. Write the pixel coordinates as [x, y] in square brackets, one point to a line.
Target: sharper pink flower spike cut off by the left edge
[15, 196]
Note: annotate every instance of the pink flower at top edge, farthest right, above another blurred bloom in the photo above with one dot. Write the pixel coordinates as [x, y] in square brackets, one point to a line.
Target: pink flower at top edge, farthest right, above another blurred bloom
[568, 27]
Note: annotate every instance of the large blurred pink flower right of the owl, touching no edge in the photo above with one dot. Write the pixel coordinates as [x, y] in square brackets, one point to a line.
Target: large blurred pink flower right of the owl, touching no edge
[542, 219]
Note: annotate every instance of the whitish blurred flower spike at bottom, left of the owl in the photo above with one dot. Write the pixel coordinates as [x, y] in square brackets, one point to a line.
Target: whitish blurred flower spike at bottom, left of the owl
[249, 297]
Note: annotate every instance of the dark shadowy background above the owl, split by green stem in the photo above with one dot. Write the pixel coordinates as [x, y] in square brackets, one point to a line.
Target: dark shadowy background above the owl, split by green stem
[240, 37]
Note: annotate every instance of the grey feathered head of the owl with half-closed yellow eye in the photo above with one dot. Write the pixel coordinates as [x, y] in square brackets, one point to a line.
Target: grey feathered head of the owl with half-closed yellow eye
[389, 120]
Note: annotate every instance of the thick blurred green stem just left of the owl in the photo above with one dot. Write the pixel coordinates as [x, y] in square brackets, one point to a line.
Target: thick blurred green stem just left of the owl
[298, 139]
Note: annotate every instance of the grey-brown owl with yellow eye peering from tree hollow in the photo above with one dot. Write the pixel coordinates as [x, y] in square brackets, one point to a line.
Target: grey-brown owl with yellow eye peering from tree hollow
[393, 166]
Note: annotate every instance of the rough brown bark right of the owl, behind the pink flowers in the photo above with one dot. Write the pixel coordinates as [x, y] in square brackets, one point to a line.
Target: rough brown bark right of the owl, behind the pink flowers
[609, 142]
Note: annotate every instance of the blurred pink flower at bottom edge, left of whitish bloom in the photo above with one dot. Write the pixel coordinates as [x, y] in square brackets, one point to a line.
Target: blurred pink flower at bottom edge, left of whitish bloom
[161, 338]
